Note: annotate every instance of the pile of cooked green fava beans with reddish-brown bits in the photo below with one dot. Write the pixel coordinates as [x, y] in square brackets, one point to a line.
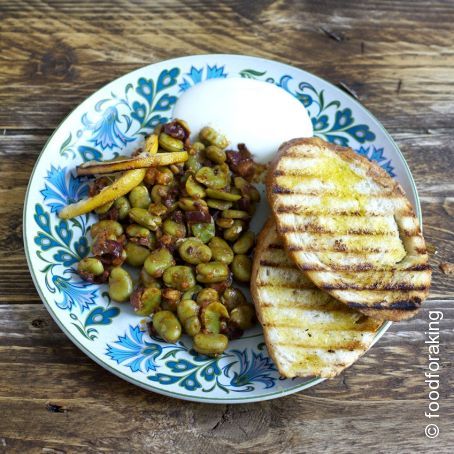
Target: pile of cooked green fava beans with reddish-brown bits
[186, 226]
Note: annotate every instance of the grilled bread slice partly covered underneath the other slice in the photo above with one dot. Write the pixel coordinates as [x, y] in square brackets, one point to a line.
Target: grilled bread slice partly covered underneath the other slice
[307, 332]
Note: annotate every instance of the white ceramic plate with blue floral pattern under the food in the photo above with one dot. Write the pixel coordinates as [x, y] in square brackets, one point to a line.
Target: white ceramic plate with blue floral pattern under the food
[112, 121]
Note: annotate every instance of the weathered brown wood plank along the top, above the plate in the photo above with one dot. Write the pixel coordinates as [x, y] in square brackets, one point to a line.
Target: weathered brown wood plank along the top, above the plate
[389, 66]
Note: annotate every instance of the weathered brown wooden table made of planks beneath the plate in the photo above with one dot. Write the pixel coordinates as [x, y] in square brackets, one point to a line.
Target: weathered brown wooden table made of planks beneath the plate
[398, 56]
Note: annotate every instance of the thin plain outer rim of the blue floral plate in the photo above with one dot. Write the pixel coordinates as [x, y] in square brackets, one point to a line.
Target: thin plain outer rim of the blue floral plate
[150, 387]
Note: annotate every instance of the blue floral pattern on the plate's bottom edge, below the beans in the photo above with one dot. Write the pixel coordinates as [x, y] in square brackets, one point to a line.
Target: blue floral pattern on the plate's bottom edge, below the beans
[185, 367]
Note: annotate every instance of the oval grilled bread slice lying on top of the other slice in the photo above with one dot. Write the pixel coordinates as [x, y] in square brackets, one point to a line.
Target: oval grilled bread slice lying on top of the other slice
[350, 227]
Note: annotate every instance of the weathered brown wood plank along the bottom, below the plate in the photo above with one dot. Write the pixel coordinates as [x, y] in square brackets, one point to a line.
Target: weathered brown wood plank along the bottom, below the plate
[342, 410]
